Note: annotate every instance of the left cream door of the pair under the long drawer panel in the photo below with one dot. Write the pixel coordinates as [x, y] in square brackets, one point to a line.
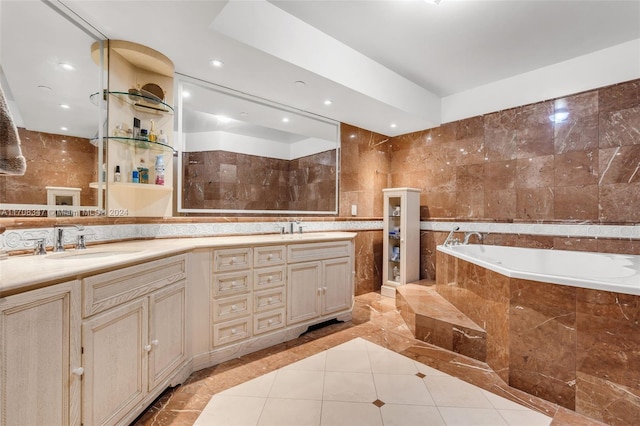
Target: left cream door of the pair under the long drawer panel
[115, 363]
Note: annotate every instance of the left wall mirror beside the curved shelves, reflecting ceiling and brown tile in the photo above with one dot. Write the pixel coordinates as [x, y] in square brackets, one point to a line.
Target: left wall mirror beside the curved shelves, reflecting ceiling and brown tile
[48, 76]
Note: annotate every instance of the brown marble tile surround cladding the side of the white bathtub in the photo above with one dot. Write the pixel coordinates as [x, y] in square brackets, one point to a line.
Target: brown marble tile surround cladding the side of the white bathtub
[575, 347]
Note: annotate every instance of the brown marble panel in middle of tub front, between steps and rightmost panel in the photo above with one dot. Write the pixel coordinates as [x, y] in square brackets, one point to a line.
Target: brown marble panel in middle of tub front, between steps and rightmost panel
[542, 340]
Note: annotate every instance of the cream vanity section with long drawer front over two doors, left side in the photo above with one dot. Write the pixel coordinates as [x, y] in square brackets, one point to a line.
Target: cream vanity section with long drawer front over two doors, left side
[133, 337]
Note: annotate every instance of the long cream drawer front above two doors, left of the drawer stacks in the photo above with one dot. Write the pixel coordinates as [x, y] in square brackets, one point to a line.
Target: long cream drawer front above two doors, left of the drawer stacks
[104, 291]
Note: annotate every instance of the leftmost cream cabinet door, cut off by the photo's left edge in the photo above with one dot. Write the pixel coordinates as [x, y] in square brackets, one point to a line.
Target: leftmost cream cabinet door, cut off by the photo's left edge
[40, 357]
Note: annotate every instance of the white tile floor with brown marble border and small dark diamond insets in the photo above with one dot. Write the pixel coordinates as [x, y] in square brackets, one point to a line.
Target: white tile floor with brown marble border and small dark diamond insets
[334, 374]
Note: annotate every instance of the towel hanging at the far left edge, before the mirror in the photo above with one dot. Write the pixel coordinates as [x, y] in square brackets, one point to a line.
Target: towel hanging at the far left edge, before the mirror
[11, 160]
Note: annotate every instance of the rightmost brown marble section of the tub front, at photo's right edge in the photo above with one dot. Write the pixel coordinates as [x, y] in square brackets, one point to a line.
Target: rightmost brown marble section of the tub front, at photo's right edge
[608, 356]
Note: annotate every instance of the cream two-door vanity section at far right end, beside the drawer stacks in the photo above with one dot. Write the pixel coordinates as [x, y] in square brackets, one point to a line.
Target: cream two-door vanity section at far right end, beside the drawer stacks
[320, 280]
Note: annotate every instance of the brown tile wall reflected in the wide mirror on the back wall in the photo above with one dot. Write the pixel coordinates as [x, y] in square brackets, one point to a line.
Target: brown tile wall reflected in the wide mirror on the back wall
[233, 181]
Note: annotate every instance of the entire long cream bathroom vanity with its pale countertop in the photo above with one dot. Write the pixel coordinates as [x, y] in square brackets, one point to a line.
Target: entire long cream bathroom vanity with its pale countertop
[94, 336]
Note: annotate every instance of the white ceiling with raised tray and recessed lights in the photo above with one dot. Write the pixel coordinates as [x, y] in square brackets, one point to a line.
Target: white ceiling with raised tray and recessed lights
[407, 62]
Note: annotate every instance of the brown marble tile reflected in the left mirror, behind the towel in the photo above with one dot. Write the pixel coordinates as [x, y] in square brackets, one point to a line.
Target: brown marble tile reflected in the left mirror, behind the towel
[52, 160]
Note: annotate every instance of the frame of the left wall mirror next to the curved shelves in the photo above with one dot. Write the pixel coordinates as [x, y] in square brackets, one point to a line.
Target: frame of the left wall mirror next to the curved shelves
[33, 210]
